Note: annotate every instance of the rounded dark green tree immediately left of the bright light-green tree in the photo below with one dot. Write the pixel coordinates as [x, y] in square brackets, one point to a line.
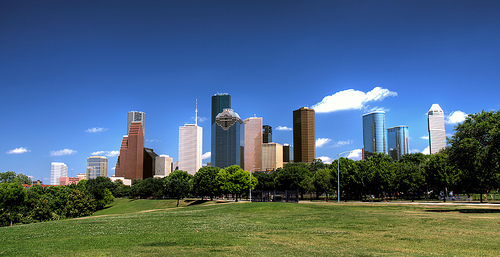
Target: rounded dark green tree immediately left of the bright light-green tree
[205, 182]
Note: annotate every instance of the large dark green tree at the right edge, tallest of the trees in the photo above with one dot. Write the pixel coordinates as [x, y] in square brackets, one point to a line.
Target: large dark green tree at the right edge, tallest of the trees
[475, 150]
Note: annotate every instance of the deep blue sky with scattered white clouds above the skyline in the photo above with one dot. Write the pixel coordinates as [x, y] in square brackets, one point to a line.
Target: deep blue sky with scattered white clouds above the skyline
[71, 70]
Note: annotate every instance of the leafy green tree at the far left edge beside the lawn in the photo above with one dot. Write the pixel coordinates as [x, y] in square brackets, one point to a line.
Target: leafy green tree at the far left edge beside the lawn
[12, 199]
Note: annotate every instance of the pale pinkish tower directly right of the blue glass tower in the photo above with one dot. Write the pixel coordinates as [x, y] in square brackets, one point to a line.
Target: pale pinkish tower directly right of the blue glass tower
[253, 144]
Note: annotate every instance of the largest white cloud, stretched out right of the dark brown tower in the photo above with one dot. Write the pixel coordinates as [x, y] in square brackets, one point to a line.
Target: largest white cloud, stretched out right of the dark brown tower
[351, 99]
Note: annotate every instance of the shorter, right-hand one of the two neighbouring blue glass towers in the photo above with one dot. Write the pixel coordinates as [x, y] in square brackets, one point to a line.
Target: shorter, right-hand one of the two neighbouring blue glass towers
[397, 142]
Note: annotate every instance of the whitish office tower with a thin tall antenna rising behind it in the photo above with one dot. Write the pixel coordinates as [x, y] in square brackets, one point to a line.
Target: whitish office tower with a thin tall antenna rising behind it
[190, 148]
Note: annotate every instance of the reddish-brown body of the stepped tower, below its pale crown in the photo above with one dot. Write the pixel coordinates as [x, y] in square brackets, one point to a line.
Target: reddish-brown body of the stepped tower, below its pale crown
[130, 161]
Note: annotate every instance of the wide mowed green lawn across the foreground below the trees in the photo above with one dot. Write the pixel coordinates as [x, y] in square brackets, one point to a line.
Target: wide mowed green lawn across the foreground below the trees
[158, 228]
